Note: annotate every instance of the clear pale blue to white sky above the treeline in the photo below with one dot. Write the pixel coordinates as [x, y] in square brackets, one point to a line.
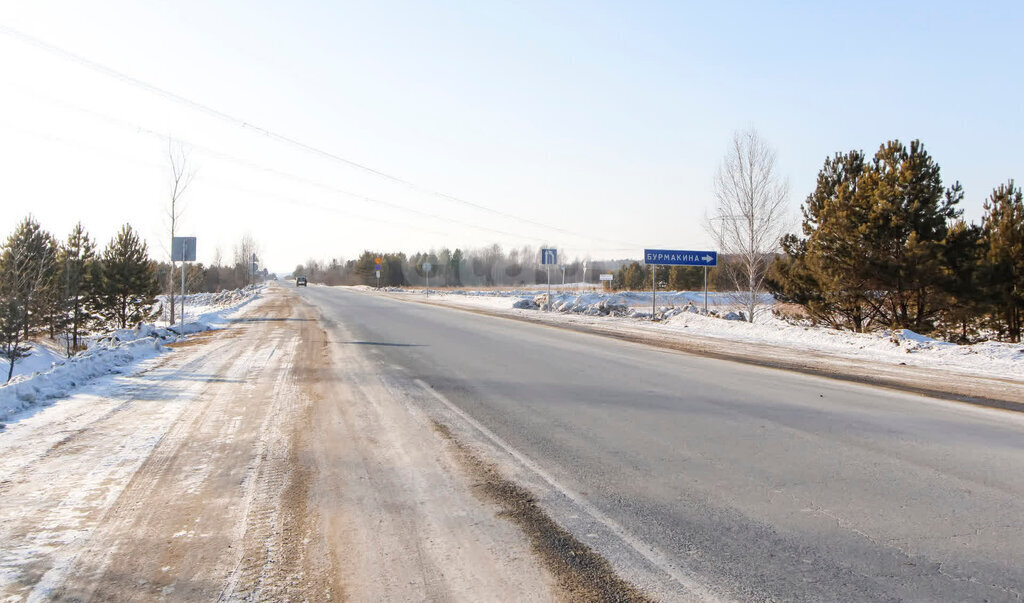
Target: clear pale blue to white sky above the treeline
[600, 124]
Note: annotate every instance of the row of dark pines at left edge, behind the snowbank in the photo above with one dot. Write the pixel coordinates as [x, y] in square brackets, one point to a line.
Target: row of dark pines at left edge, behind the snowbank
[63, 289]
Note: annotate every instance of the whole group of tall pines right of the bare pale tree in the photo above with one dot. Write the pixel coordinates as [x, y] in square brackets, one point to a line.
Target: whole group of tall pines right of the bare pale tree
[884, 246]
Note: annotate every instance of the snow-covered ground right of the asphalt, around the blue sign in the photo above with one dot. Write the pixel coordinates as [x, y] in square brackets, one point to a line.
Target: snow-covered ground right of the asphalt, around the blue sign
[681, 315]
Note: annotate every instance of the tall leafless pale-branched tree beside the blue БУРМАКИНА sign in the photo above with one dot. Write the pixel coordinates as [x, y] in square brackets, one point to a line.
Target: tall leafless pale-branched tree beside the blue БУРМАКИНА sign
[750, 216]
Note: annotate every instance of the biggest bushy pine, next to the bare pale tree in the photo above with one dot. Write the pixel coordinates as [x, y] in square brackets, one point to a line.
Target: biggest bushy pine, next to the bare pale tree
[876, 238]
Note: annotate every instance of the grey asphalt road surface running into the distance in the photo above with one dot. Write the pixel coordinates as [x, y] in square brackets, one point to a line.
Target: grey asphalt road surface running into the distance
[753, 483]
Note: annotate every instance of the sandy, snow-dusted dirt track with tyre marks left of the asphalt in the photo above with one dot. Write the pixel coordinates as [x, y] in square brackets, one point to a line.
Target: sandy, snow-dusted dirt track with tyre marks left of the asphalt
[267, 462]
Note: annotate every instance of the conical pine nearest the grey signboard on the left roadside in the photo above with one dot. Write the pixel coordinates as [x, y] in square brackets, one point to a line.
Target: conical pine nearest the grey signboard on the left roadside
[130, 285]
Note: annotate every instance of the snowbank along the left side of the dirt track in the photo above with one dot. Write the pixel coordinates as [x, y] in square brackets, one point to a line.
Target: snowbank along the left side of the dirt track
[47, 375]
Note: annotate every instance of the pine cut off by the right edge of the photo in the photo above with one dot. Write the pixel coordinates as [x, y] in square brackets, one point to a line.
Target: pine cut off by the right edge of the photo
[1003, 229]
